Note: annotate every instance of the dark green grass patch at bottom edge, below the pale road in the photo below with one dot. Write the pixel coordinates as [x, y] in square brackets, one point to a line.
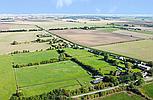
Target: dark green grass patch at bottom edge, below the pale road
[121, 96]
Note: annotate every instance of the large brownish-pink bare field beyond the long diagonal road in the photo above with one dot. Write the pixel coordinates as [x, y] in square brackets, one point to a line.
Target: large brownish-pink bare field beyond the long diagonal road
[93, 38]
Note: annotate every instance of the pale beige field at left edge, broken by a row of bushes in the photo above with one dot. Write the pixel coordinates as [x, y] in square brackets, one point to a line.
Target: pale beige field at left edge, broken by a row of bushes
[7, 38]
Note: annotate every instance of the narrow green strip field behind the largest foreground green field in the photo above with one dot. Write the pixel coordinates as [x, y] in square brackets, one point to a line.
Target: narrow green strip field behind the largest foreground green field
[32, 57]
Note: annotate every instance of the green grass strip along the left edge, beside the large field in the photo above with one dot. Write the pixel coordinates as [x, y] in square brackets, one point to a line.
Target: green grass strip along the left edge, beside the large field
[7, 79]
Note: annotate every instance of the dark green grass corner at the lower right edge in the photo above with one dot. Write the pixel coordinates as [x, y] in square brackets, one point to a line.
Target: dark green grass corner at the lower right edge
[148, 90]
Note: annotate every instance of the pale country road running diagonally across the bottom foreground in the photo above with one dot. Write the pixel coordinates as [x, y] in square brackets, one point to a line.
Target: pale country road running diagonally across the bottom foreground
[110, 88]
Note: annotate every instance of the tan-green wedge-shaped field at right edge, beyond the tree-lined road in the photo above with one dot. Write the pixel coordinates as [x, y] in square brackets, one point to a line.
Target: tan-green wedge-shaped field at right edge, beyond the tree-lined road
[138, 49]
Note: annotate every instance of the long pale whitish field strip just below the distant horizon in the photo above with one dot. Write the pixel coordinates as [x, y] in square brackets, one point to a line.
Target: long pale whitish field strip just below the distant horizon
[64, 24]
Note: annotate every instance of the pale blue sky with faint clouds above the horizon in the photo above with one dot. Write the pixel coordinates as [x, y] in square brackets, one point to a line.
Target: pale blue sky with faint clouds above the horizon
[77, 6]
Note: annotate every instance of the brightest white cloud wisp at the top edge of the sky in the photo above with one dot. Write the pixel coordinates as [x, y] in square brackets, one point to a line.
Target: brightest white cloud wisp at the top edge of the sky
[63, 3]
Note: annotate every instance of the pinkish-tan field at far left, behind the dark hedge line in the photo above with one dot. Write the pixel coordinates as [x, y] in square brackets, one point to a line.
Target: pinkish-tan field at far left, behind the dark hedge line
[15, 26]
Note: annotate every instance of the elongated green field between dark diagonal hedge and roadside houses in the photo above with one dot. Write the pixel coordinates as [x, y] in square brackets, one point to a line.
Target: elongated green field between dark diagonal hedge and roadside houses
[90, 59]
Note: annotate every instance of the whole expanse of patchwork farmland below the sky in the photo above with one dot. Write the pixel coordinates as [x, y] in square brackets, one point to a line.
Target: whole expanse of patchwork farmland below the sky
[59, 58]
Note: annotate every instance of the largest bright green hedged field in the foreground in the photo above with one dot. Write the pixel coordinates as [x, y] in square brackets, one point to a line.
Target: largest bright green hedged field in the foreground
[39, 79]
